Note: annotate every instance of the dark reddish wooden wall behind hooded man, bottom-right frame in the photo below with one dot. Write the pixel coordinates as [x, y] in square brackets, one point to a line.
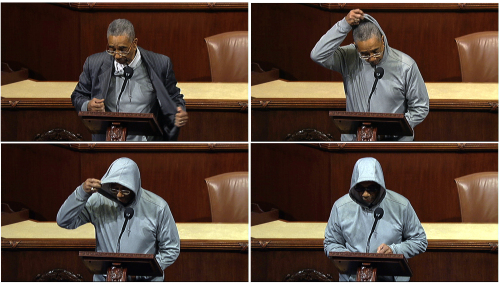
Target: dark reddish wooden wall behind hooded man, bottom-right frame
[299, 182]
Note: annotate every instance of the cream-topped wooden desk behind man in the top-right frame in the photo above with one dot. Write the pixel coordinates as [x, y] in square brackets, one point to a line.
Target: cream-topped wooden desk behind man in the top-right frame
[458, 111]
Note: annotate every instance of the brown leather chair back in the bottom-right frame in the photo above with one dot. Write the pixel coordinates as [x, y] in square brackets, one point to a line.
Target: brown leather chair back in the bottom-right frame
[478, 196]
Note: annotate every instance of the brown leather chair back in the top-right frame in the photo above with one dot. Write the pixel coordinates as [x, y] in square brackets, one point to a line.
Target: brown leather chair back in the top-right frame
[478, 54]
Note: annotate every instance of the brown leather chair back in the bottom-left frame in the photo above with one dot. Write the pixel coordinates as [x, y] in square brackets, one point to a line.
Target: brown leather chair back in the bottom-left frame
[228, 195]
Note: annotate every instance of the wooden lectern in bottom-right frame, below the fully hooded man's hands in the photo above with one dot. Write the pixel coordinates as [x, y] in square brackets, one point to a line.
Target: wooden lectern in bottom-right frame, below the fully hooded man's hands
[368, 266]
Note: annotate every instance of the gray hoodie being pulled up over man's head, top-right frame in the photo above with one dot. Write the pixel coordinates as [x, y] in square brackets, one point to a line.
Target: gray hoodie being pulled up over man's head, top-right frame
[400, 90]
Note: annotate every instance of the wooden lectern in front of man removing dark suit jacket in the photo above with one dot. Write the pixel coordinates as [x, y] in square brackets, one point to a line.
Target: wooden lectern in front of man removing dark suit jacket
[117, 125]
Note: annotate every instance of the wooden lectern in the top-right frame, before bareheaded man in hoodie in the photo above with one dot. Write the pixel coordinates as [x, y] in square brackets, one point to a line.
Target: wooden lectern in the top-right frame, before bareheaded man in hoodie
[368, 125]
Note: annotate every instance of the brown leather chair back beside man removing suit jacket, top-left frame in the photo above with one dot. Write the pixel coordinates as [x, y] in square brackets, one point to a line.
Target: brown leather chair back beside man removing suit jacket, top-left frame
[228, 54]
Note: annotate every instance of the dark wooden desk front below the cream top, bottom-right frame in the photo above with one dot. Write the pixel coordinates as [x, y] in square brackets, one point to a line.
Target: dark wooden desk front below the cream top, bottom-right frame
[475, 265]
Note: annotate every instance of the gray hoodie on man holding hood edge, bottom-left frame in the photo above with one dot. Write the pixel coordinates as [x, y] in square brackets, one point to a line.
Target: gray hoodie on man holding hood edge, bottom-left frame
[151, 230]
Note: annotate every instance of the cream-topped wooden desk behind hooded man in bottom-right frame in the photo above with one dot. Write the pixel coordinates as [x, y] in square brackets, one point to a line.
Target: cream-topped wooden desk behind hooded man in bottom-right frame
[456, 252]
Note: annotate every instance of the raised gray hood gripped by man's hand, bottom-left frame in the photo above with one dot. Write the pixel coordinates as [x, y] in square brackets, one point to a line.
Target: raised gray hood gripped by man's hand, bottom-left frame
[122, 171]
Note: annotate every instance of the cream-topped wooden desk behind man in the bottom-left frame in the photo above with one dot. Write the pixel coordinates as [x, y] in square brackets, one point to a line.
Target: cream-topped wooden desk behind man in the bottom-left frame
[209, 251]
